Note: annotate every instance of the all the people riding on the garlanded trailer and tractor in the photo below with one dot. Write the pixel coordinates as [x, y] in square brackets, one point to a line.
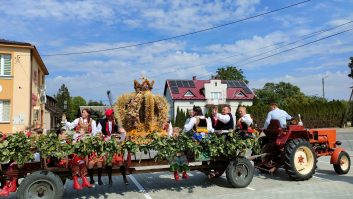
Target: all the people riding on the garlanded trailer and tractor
[108, 128]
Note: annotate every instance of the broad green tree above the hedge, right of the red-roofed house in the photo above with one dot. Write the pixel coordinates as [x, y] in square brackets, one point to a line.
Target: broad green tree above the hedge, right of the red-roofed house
[282, 93]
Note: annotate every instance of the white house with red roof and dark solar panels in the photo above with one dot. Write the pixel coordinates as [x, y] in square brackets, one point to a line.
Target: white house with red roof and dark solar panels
[188, 93]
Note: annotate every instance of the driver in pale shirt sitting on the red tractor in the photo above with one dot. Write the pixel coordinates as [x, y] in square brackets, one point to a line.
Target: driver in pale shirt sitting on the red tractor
[277, 114]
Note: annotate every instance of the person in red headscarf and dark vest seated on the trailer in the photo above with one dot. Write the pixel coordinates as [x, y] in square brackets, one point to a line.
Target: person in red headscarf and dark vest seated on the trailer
[109, 127]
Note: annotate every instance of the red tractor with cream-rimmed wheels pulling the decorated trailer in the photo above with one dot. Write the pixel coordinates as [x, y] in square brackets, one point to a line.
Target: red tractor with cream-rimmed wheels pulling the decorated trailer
[297, 149]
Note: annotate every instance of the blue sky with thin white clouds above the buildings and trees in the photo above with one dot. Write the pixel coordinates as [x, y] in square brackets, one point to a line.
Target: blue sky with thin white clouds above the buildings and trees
[57, 26]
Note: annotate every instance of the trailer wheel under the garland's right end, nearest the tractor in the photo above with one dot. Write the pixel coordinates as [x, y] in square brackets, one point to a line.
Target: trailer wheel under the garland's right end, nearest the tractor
[240, 172]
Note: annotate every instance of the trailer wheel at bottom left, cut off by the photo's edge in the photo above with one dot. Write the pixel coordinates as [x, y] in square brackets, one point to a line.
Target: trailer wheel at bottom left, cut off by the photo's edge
[41, 184]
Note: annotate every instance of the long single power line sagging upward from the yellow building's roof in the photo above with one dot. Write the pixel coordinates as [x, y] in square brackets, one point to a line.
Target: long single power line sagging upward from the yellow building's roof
[182, 35]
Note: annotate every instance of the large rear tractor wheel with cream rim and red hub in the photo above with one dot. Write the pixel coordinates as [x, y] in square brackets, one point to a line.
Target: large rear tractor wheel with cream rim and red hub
[299, 159]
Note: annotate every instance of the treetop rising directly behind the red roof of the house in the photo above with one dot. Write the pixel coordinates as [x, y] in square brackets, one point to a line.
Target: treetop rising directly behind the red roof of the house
[230, 73]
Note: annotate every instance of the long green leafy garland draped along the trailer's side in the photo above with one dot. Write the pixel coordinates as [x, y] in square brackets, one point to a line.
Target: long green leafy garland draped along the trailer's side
[15, 147]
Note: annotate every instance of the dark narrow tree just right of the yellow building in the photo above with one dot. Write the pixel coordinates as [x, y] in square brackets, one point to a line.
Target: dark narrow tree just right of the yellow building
[63, 100]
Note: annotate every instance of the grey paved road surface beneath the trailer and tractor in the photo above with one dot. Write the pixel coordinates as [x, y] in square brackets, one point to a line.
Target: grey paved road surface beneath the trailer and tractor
[325, 184]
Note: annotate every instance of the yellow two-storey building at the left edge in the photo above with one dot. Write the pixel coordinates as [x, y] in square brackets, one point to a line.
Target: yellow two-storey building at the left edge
[22, 80]
